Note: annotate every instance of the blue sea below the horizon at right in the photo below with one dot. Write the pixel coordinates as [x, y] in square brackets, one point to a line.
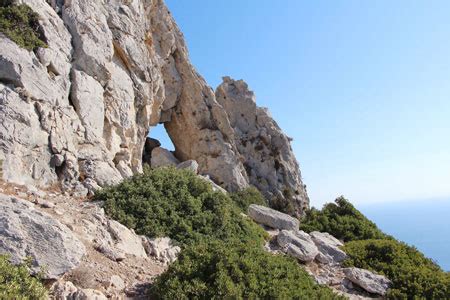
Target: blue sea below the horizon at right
[424, 224]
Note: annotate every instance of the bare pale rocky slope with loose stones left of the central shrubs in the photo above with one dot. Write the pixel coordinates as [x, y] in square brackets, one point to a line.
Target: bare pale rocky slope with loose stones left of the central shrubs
[84, 254]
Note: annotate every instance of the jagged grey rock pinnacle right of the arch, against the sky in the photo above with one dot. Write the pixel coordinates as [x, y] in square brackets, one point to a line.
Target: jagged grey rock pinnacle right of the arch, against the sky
[265, 150]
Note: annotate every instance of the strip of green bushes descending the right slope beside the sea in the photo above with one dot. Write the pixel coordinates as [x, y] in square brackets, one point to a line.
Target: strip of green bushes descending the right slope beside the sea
[412, 274]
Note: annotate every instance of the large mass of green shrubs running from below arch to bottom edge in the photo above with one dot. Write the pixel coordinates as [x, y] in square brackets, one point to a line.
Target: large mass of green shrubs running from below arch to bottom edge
[222, 253]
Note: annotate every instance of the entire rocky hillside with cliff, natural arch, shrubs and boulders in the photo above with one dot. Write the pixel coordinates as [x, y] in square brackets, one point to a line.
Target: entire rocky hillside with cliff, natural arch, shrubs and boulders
[92, 207]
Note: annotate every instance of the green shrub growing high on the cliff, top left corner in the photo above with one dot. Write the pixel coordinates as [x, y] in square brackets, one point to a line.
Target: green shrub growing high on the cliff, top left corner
[20, 24]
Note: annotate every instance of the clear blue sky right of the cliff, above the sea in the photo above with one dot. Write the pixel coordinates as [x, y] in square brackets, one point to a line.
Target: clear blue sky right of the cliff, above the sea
[363, 87]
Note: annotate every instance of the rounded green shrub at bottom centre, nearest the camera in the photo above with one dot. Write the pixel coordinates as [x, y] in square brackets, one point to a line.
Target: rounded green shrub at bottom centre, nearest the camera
[236, 271]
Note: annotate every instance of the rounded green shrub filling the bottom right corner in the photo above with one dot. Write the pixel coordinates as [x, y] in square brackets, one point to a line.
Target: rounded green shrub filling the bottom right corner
[413, 275]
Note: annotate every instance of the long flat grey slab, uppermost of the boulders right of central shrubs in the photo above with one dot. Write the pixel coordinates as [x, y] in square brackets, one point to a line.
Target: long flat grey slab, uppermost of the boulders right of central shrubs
[272, 218]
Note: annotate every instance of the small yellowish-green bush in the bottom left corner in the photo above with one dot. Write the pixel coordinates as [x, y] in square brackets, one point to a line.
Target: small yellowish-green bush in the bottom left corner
[16, 282]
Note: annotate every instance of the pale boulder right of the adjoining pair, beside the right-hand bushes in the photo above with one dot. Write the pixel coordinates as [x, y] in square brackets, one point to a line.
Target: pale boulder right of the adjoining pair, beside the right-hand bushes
[328, 245]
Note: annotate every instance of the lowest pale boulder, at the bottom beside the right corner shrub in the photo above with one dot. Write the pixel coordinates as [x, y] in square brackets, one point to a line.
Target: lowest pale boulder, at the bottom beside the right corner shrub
[373, 283]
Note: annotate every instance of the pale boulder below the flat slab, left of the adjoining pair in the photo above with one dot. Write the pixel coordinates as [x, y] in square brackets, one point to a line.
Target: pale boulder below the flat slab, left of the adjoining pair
[298, 244]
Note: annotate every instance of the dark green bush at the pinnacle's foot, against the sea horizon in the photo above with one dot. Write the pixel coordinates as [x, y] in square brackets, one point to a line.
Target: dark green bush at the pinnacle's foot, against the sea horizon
[342, 220]
